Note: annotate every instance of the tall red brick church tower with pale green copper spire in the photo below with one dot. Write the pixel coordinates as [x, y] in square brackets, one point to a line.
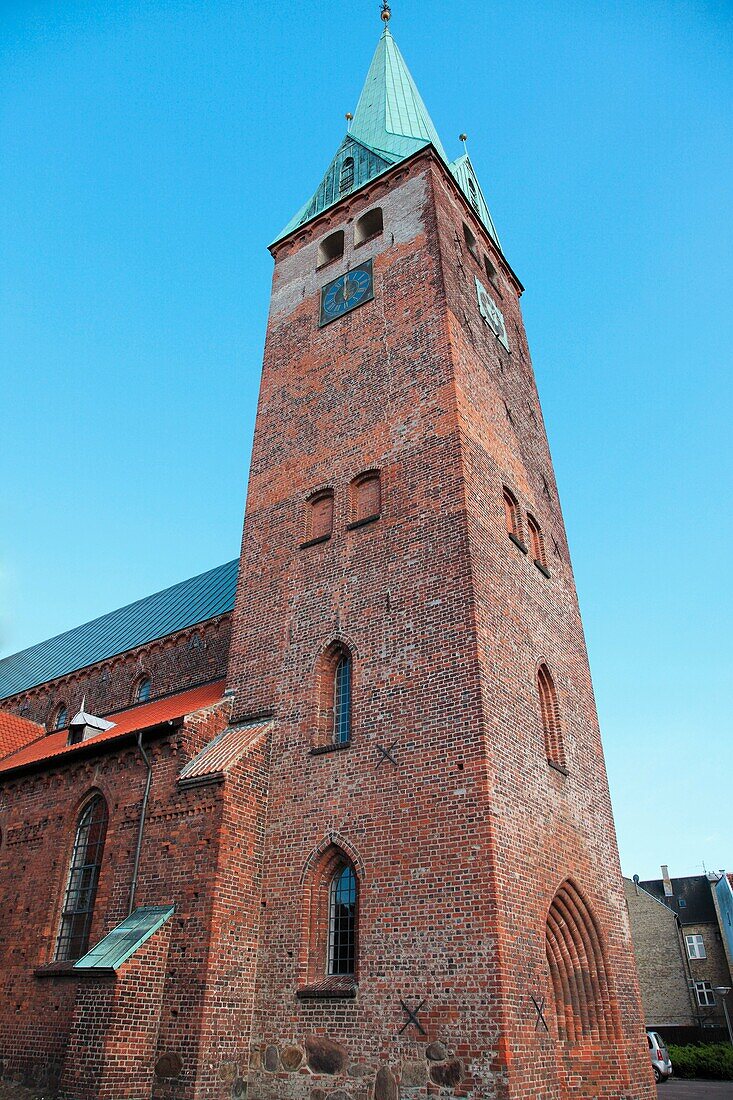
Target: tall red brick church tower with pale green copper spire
[439, 906]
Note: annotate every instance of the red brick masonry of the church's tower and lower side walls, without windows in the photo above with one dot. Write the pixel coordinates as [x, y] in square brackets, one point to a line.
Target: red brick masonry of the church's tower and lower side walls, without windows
[462, 845]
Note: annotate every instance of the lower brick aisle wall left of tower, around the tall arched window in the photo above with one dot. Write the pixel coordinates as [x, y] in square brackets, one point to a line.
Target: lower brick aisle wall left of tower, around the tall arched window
[180, 864]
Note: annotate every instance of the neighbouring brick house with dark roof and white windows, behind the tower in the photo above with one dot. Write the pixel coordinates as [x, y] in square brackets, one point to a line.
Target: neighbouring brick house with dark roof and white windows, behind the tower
[680, 929]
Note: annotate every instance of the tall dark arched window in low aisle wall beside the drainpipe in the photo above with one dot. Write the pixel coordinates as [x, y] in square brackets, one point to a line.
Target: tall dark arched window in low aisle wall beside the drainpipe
[83, 878]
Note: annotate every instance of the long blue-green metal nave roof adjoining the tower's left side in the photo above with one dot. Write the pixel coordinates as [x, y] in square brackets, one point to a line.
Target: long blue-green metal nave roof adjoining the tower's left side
[202, 598]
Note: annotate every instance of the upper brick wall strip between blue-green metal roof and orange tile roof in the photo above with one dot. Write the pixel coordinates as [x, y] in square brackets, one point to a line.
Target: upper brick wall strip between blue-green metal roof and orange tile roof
[174, 663]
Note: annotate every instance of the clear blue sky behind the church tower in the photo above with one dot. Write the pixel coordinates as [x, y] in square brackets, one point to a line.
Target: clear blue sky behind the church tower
[151, 150]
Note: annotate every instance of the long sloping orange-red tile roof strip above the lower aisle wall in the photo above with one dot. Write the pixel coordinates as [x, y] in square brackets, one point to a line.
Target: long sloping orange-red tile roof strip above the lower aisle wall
[127, 722]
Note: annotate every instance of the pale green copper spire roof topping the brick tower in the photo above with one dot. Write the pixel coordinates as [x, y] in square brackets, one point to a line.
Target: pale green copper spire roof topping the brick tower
[391, 123]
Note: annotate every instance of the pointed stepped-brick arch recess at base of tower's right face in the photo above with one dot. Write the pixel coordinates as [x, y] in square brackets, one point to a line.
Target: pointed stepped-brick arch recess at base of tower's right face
[578, 972]
